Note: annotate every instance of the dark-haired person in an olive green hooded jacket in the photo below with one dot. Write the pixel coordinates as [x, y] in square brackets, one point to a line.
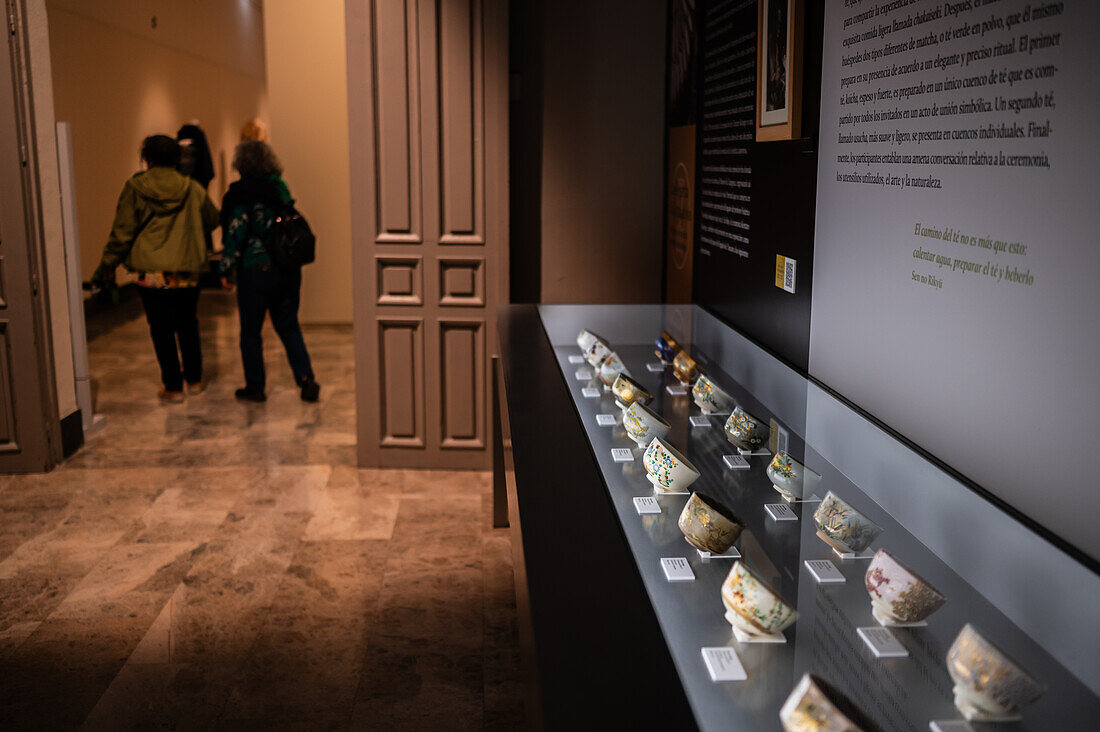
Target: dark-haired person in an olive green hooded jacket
[159, 234]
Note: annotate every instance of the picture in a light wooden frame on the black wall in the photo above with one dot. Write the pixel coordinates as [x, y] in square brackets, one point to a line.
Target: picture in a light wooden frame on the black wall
[779, 70]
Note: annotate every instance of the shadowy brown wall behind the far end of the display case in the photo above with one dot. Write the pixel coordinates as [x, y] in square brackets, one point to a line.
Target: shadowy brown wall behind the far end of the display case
[603, 151]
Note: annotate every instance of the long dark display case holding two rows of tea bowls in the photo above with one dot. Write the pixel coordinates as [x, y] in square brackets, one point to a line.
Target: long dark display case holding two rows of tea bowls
[779, 541]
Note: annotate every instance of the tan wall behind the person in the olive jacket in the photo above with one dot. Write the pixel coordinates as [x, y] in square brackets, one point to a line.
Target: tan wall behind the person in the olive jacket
[118, 80]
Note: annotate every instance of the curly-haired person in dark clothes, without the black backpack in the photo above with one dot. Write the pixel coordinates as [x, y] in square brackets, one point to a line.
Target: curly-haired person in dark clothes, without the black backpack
[248, 215]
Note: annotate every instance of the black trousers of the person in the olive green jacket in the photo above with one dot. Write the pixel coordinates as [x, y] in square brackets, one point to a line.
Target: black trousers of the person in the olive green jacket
[173, 320]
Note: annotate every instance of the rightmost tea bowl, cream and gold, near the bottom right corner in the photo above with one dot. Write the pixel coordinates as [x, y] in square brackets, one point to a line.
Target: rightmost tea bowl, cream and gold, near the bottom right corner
[987, 682]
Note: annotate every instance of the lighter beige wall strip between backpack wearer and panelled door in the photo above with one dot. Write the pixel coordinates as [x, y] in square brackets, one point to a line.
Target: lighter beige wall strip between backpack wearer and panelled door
[307, 93]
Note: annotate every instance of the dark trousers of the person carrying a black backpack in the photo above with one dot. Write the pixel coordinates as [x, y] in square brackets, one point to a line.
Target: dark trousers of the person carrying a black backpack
[262, 290]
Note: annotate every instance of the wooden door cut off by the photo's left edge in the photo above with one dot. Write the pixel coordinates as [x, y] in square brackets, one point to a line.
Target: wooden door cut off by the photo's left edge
[29, 424]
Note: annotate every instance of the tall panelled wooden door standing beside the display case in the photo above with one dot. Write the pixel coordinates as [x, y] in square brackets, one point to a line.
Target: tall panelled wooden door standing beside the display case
[428, 123]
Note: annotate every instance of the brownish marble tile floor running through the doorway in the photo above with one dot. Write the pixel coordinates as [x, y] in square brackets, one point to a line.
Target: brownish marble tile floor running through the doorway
[216, 565]
